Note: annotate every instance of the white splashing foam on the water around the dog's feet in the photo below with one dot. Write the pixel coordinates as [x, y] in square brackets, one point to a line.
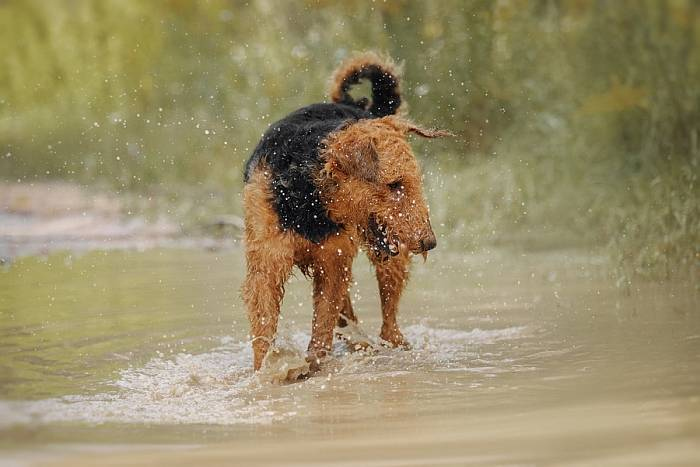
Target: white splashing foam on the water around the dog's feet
[218, 387]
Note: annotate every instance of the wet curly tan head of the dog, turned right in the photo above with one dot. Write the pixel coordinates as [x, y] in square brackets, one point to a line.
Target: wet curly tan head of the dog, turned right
[371, 180]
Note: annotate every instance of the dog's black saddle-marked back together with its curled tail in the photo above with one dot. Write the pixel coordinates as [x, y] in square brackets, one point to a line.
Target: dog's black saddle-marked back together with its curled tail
[290, 149]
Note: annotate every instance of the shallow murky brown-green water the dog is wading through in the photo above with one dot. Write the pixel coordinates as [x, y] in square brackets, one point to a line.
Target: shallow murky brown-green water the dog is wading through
[128, 357]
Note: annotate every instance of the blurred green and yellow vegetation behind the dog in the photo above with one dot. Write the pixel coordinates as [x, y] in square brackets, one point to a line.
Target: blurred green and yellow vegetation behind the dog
[577, 120]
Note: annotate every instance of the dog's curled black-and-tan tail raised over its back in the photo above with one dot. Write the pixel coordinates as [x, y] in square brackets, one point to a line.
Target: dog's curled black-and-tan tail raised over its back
[381, 72]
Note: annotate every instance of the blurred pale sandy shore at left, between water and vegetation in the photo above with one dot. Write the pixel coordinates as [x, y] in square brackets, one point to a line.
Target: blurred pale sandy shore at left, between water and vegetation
[40, 218]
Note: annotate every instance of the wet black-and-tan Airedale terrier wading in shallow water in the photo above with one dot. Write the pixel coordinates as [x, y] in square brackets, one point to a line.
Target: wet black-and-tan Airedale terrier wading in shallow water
[322, 183]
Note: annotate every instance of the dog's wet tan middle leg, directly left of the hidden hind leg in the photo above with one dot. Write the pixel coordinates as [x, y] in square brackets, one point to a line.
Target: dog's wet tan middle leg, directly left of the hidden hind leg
[331, 276]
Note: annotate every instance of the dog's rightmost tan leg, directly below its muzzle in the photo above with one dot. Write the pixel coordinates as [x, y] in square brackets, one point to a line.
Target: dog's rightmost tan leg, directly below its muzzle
[392, 275]
